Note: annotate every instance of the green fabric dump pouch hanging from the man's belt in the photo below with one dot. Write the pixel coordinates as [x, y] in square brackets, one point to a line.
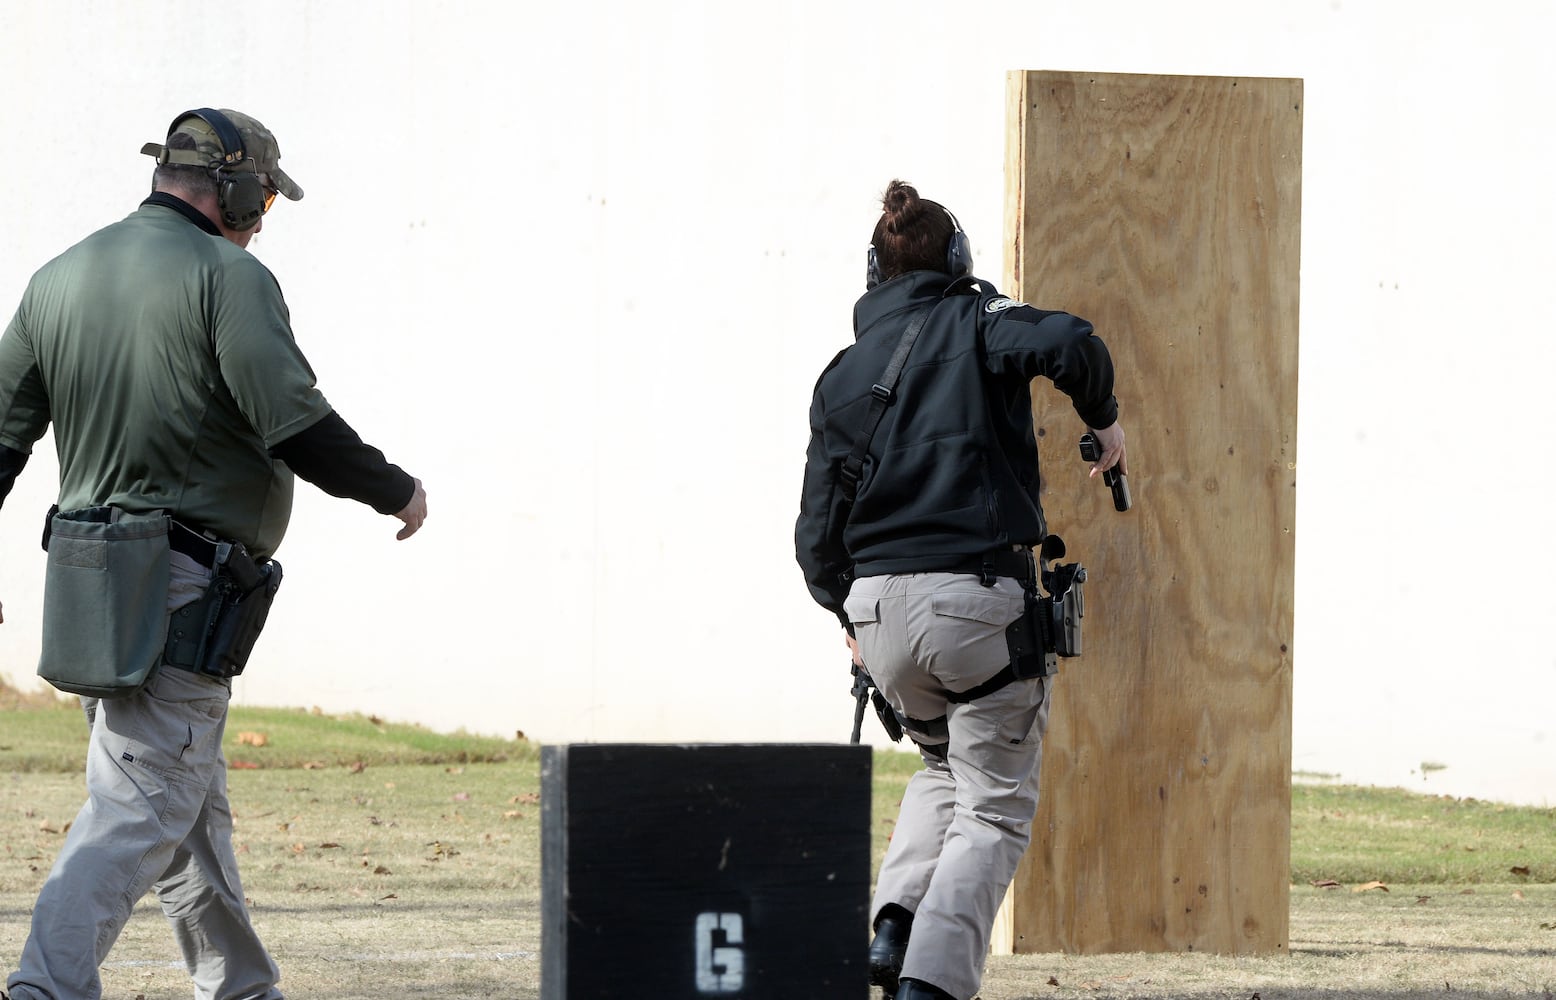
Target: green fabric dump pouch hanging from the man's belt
[105, 601]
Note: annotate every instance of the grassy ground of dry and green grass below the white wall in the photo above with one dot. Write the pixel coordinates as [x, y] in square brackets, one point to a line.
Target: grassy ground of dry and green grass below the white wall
[385, 861]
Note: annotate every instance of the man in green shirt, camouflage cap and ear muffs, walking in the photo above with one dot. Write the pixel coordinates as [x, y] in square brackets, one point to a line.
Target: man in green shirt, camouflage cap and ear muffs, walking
[164, 358]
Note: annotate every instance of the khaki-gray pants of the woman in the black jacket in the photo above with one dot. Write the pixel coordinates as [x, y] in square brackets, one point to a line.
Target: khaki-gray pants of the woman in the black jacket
[967, 817]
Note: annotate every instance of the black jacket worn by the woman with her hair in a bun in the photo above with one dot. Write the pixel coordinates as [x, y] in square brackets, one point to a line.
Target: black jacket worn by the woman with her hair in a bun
[953, 467]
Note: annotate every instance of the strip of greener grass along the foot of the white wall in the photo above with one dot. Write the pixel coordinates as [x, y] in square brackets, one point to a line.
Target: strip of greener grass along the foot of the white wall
[1339, 833]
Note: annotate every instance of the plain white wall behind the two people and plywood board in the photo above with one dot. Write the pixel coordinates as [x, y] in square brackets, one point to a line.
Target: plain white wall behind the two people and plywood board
[578, 268]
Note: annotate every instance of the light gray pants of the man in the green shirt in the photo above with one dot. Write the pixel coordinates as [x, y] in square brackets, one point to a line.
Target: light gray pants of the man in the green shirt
[156, 819]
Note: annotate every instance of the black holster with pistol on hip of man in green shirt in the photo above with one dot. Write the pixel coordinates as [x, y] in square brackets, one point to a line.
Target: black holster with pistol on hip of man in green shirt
[217, 634]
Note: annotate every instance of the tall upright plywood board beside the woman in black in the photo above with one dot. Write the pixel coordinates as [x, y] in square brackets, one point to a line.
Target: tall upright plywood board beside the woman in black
[1168, 212]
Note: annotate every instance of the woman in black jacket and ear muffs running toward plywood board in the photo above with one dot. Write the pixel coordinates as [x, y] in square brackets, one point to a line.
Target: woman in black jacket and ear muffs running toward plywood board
[917, 525]
